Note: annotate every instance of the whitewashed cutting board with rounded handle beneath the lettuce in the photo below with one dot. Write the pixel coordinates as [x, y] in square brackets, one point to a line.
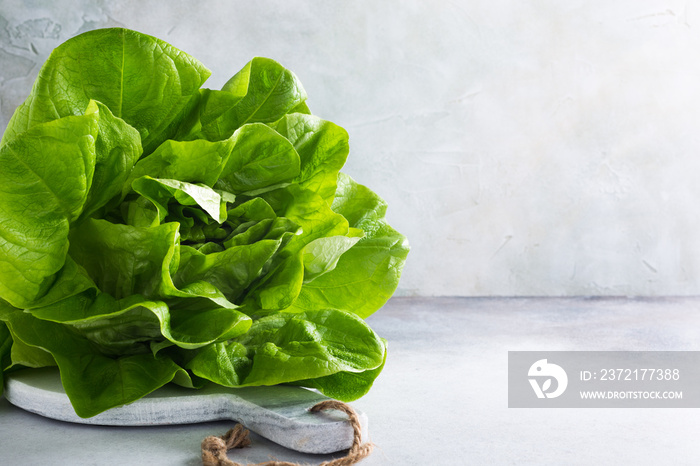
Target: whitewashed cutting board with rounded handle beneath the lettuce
[279, 413]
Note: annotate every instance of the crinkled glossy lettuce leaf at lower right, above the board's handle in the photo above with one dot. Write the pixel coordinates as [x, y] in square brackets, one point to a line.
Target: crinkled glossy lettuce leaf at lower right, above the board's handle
[286, 347]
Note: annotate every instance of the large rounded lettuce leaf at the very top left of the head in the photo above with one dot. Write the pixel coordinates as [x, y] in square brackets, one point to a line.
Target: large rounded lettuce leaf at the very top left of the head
[144, 81]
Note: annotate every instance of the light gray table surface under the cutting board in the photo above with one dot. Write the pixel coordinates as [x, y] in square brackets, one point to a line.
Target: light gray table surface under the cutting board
[443, 396]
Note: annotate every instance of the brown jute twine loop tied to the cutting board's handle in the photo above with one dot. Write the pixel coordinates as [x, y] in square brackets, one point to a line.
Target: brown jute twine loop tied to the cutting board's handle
[214, 448]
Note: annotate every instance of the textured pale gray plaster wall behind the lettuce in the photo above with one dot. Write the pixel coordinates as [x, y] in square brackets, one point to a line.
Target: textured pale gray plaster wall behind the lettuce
[525, 148]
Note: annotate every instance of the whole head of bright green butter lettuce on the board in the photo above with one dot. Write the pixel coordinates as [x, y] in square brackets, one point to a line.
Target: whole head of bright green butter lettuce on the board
[153, 231]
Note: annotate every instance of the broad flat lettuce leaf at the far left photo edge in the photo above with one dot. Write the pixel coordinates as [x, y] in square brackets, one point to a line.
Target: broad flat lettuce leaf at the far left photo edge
[35, 167]
